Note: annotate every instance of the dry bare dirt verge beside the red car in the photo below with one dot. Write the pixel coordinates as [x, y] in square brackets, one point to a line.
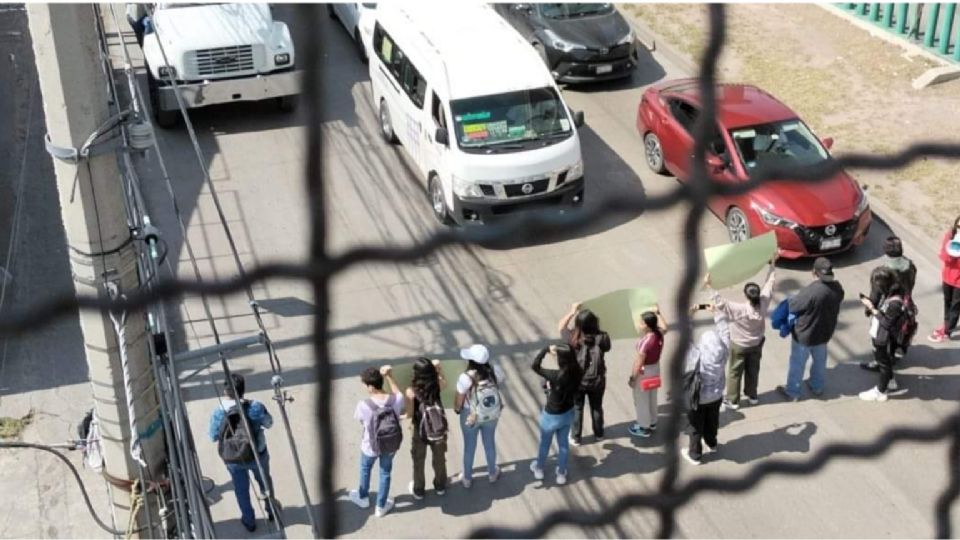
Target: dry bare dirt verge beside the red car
[845, 83]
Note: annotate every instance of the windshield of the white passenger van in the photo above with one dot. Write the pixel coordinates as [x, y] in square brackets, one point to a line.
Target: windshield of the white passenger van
[514, 117]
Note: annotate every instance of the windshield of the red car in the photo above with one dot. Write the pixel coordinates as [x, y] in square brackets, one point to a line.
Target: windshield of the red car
[786, 143]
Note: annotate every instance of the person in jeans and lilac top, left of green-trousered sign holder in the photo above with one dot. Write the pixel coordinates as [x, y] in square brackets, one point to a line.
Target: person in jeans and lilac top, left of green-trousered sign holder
[372, 379]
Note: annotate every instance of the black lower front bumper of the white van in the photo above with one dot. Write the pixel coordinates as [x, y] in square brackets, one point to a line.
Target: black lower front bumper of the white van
[480, 211]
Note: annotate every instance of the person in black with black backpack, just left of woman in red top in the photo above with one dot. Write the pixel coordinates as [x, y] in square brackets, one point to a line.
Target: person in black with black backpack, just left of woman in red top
[590, 344]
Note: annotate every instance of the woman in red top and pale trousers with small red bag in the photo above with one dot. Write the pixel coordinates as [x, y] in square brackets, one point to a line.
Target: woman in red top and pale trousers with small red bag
[646, 372]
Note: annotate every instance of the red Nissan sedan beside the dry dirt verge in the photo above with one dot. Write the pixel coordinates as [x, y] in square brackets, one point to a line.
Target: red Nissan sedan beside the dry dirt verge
[753, 127]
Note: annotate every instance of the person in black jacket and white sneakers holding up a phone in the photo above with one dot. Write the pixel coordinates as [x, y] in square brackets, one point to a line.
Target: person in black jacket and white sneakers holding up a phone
[886, 315]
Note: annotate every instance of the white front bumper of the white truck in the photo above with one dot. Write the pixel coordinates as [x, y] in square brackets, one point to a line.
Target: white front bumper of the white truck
[215, 92]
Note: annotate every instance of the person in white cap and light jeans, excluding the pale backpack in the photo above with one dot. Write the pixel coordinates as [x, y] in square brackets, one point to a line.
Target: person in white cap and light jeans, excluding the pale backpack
[478, 369]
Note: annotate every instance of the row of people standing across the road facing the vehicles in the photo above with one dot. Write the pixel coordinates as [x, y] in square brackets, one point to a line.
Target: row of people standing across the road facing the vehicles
[723, 363]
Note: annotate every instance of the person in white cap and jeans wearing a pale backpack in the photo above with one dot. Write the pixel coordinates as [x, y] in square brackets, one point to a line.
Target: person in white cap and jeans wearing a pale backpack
[479, 404]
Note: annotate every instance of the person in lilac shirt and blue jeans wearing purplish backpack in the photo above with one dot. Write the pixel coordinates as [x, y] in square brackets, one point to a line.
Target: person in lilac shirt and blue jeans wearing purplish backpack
[379, 414]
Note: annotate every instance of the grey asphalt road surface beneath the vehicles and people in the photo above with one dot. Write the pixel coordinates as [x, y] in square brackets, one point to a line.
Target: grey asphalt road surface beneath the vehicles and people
[510, 299]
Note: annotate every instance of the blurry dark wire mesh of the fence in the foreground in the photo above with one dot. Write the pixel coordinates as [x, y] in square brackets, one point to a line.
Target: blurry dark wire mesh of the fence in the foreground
[322, 267]
